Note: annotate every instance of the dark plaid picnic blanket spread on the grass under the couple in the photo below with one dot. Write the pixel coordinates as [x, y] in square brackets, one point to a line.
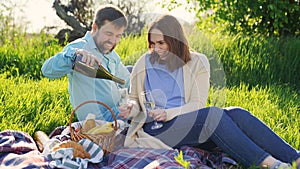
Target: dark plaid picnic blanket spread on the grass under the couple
[18, 150]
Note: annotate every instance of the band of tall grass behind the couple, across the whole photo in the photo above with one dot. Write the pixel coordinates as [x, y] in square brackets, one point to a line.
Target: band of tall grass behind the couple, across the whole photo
[234, 59]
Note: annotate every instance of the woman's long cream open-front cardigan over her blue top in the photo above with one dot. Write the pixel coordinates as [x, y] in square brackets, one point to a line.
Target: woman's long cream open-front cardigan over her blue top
[196, 74]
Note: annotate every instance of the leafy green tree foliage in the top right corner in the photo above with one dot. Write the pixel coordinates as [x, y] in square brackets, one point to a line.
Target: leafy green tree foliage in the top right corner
[271, 18]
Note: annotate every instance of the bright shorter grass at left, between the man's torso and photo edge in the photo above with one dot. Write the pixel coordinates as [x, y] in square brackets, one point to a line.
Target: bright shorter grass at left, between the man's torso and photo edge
[29, 105]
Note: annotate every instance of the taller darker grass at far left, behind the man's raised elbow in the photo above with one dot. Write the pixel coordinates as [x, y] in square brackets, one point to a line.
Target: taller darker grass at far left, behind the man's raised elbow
[24, 55]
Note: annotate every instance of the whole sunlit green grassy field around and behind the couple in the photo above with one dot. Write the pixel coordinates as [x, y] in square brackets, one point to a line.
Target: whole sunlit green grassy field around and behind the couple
[258, 74]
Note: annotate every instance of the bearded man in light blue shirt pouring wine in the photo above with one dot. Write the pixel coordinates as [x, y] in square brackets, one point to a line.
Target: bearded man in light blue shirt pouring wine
[96, 47]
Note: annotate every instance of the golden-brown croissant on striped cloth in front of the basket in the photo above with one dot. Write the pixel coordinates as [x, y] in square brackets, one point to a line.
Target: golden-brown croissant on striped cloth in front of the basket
[79, 151]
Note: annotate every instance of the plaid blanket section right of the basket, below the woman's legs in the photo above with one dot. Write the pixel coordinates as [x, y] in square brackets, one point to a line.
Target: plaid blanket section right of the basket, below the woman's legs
[137, 158]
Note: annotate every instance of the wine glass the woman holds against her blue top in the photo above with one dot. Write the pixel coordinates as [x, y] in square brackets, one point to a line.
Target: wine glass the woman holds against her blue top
[149, 103]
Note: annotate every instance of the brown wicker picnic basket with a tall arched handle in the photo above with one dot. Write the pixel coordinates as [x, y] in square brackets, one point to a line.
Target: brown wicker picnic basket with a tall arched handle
[105, 141]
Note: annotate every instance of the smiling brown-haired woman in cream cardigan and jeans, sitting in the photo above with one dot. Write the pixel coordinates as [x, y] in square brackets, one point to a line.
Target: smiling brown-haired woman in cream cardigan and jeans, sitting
[179, 81]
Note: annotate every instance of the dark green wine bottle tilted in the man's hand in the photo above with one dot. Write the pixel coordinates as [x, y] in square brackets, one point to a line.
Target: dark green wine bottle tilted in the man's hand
[96, 72]
